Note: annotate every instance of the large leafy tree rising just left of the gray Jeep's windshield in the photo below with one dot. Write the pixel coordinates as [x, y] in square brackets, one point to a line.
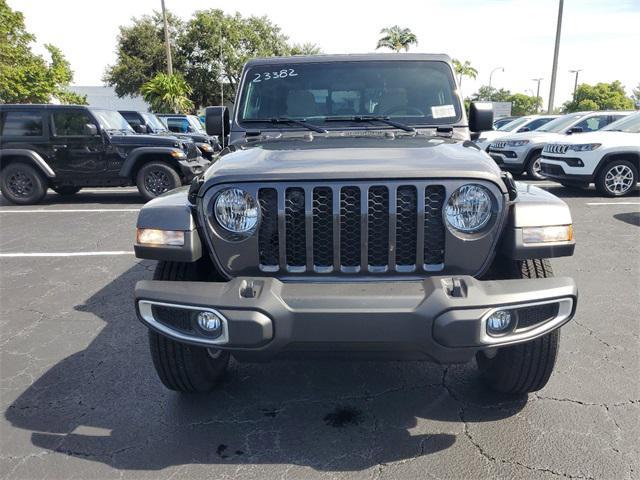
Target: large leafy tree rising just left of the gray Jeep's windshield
[216, 46]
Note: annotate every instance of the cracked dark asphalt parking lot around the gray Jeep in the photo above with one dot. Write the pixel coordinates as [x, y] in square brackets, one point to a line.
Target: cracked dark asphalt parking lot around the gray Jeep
[80, 398]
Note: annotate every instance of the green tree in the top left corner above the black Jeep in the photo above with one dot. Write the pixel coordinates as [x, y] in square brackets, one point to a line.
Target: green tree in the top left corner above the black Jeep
[24, 76]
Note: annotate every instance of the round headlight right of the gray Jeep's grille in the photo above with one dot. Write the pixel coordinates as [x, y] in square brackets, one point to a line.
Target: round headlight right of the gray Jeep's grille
[469, 208]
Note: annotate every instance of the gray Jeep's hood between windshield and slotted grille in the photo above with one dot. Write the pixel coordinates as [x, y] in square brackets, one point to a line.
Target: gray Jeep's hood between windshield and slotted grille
[353, 158]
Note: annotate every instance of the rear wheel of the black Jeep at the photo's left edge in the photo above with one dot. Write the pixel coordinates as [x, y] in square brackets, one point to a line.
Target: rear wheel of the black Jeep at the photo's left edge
[22, 184]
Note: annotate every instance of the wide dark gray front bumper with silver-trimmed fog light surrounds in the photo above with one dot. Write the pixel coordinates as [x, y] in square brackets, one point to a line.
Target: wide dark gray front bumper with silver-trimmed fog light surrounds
[440, 318]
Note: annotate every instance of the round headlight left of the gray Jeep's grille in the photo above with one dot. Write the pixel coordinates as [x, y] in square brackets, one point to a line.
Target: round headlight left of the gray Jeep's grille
[236, 210]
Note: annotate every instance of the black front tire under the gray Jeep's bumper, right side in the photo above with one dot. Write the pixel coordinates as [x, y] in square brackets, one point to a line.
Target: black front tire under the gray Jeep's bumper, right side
[526, 367]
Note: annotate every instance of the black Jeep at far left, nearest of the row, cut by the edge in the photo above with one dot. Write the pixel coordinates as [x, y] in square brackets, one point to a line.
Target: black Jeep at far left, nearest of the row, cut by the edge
[67, 147]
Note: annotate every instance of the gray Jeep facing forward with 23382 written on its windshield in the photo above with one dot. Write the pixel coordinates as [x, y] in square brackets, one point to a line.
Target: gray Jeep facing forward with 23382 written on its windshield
[349, 215]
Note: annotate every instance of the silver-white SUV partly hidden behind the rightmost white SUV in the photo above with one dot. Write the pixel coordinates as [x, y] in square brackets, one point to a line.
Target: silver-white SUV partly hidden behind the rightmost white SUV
[521, 152]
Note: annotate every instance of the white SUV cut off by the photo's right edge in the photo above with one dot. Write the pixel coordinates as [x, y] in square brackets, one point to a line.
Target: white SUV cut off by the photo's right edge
[610, 158]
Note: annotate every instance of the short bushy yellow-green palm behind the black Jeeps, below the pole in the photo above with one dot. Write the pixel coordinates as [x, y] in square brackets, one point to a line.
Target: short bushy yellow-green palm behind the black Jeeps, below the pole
[167, 94]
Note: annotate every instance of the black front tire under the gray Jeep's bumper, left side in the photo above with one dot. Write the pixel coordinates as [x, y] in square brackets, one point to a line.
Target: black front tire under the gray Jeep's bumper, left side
[182, 367]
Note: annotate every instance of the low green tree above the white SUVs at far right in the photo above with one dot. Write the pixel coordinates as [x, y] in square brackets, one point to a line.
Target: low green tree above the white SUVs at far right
[602, 96]
